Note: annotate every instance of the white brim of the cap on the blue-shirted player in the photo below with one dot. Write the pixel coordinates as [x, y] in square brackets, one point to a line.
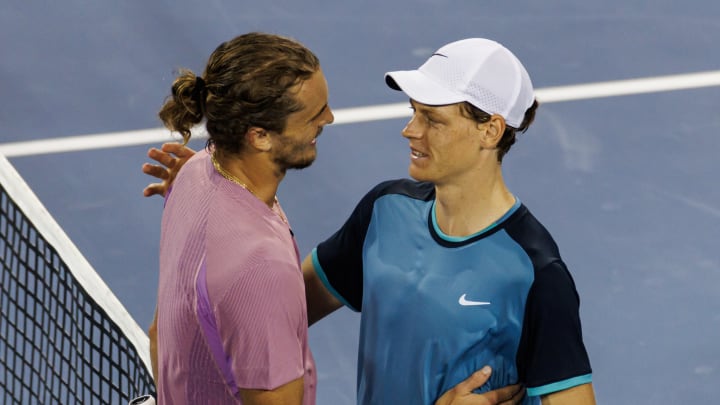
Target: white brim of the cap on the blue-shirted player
[422, 88]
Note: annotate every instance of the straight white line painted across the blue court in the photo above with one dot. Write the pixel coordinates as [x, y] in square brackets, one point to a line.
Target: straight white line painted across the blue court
[370, 113]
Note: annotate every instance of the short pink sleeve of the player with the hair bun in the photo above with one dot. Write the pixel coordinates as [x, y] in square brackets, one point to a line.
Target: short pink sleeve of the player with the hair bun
[262, 324]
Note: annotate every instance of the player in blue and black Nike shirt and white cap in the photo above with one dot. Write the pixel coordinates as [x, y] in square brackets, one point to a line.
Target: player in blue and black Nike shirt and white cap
[450, 271]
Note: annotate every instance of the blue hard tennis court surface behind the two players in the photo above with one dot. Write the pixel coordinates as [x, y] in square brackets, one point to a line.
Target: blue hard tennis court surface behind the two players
[624, 179]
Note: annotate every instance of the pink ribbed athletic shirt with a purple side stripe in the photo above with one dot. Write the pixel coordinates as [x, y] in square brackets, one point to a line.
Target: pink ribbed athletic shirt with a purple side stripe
[231, 297]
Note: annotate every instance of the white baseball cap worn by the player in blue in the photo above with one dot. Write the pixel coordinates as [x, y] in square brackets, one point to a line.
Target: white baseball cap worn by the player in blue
[477, 70]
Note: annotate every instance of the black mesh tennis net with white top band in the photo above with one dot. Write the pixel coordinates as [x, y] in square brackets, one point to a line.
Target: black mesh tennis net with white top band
[64, 336]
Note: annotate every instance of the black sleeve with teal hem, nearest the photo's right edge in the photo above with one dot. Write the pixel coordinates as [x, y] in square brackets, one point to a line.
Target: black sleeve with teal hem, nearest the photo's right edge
[552, 356]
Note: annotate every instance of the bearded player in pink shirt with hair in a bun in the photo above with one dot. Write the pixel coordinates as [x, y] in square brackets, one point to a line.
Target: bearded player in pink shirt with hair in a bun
[231, 311]
